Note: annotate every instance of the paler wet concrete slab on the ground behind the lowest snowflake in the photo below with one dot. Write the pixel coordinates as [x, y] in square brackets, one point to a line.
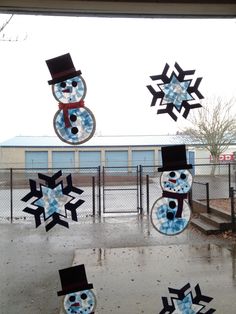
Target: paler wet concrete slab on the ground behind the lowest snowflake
[133, 280]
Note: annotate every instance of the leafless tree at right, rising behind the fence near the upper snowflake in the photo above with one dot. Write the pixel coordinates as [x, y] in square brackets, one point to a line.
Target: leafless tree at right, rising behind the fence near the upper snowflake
[214, 125]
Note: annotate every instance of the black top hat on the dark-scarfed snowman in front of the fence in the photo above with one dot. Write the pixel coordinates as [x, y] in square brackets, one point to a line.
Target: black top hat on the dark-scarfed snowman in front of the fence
[174, 158]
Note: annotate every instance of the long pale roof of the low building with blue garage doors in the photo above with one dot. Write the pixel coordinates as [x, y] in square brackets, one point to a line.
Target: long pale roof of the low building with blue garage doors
[101, 141]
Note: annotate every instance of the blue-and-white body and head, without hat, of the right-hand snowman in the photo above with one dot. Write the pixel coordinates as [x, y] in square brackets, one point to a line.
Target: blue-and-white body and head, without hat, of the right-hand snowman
[168, 216]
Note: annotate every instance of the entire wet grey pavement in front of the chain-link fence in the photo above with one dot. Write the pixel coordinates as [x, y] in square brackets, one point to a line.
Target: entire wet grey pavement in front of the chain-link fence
[129, 263]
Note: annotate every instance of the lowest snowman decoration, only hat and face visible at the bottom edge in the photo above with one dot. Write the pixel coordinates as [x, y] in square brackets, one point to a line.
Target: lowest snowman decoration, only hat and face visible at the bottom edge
[79, 297]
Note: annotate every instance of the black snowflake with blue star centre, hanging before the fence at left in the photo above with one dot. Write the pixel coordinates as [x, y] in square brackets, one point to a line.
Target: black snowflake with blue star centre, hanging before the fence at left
[53, 200]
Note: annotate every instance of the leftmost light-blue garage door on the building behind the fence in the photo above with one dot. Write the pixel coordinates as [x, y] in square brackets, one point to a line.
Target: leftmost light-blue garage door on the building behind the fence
[36, 159]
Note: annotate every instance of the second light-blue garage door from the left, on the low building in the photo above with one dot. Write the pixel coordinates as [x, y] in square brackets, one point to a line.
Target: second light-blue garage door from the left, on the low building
[63, 160]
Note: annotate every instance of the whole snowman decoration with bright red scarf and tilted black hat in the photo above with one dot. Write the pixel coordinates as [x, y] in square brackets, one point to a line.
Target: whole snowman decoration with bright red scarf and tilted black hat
[73, 122]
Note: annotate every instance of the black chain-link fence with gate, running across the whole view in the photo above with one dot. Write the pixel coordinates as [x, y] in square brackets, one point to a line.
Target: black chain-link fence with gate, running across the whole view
[112, 189]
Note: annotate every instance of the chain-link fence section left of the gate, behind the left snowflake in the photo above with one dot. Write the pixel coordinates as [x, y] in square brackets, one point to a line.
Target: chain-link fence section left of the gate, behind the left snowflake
[15, 184]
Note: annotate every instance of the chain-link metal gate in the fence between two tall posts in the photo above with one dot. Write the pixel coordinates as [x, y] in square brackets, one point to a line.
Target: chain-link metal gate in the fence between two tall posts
[121, 190]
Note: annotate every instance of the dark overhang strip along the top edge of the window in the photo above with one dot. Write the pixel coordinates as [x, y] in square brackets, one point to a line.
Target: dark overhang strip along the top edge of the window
[168, 8]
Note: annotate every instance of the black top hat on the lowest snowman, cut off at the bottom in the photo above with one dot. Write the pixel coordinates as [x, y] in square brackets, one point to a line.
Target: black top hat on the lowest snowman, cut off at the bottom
[73, 279]
